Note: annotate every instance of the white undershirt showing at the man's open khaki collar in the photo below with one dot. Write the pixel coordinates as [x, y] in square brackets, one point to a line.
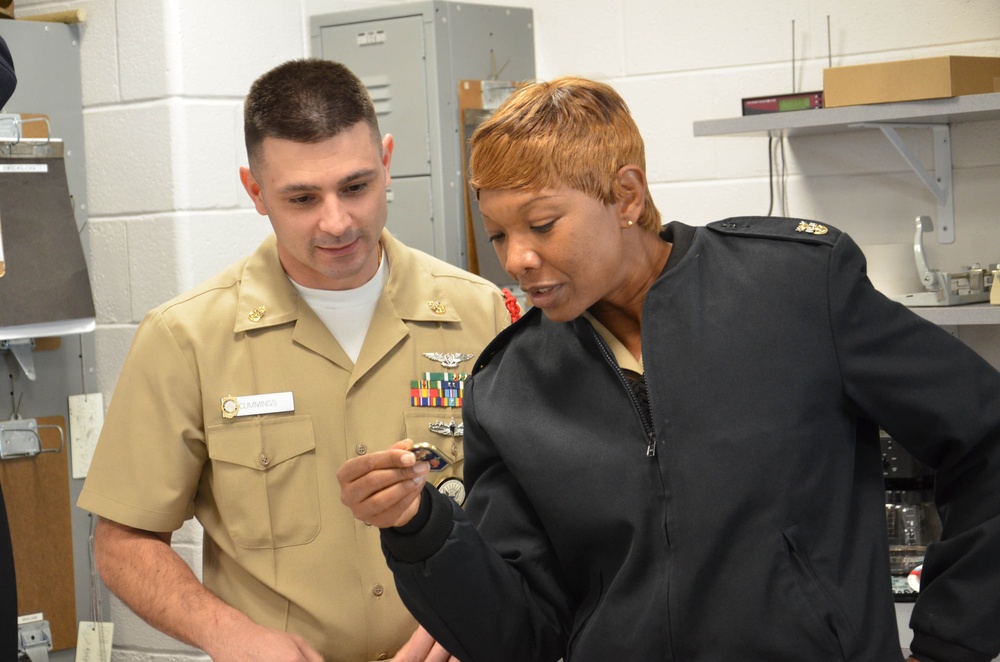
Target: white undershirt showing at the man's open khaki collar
[348, 313]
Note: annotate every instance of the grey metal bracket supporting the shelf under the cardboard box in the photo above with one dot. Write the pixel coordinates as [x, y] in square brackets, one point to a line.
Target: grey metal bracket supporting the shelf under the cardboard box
[940, 183]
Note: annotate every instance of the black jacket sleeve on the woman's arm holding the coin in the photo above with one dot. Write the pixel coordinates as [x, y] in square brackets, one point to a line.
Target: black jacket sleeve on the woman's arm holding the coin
[482, 603]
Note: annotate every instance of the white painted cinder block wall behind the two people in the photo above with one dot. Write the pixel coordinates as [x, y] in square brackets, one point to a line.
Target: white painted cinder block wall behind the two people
[163, 83]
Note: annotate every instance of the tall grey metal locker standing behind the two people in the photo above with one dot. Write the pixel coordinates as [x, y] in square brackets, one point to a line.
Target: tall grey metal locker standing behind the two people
[412, 57]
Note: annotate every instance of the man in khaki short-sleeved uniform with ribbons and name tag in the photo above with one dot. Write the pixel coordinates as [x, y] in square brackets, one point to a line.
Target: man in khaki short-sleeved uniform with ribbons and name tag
[240, 399]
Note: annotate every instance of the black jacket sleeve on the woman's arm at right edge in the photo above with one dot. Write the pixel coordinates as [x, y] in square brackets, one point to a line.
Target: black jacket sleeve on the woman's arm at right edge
[941, 401]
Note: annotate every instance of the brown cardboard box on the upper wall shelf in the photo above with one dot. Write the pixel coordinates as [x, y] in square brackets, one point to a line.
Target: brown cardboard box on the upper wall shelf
[909, 80]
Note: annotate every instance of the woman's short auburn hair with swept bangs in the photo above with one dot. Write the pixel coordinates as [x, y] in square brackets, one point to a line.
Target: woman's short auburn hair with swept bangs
[569, 131]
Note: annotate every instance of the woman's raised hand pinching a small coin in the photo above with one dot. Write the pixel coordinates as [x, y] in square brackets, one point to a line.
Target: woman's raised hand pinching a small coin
[383, 489]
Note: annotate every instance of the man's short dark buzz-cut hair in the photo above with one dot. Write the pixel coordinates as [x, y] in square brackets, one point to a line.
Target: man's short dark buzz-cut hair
[306, 101]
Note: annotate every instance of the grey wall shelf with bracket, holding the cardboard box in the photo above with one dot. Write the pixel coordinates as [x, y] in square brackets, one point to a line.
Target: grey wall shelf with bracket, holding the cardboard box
[936, 114]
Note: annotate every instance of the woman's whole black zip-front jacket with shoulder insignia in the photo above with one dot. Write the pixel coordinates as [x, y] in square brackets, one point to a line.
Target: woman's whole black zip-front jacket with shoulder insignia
[756, 532]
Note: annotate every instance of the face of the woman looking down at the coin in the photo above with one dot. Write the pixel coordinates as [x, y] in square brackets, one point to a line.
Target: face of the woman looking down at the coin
[562, 246]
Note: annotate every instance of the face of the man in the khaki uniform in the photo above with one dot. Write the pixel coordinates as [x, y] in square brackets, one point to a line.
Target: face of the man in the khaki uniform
[326, 203]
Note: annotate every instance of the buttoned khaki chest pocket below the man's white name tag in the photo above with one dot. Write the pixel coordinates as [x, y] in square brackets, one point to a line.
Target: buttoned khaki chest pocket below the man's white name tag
[264, 480]
